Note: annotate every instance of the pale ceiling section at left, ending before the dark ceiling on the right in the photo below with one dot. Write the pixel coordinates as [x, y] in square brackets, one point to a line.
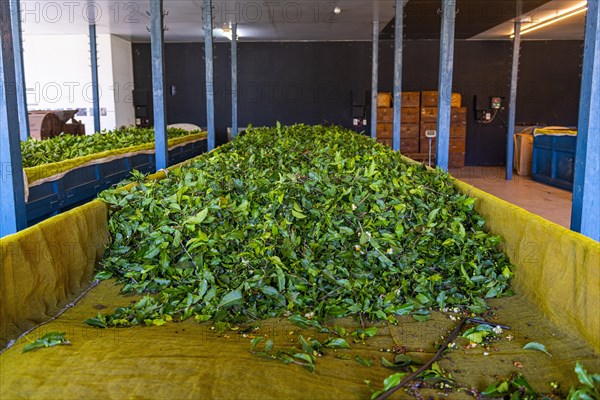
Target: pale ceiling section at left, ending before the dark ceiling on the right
[258, 20]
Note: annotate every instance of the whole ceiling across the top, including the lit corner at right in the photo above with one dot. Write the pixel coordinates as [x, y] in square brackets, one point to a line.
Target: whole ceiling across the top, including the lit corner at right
[299, 20]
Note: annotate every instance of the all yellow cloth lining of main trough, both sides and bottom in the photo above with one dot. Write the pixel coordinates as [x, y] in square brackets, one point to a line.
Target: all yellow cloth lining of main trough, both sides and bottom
[557, 273]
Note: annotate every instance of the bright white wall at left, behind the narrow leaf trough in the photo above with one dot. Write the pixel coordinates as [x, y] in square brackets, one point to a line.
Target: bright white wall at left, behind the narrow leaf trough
[58, 76]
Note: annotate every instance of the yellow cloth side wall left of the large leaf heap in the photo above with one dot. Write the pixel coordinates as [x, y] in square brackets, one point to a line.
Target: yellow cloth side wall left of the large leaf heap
[47, 265]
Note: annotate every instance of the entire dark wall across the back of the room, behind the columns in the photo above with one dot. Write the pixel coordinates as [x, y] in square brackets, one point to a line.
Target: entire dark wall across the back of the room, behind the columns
[314, 83]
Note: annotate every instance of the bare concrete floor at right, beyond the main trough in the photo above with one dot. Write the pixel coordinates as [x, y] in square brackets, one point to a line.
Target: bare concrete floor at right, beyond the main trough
[549, 202]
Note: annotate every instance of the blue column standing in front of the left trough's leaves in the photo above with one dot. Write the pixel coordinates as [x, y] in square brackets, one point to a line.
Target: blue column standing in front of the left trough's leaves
[157, 40]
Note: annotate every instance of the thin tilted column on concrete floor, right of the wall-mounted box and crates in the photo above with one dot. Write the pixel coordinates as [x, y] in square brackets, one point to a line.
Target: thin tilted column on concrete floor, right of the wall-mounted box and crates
[512, 102]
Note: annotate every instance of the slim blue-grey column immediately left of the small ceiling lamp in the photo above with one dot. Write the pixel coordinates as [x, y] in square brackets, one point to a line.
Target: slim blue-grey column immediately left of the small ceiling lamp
[208, 60]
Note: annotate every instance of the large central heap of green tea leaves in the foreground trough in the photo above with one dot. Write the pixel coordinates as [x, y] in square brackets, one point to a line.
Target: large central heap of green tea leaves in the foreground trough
[310, 220]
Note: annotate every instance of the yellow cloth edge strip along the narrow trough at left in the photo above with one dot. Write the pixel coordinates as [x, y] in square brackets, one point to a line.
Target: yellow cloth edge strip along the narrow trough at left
[46, 170]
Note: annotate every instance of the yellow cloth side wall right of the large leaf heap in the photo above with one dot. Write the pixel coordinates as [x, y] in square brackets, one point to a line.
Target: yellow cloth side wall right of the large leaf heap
[557, 269]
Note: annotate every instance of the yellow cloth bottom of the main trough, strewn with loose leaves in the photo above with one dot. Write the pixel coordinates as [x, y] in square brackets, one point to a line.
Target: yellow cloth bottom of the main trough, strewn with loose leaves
[193, 361]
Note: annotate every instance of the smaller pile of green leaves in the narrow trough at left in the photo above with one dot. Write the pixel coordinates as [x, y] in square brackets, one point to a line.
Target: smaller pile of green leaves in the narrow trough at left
[66, 147]
